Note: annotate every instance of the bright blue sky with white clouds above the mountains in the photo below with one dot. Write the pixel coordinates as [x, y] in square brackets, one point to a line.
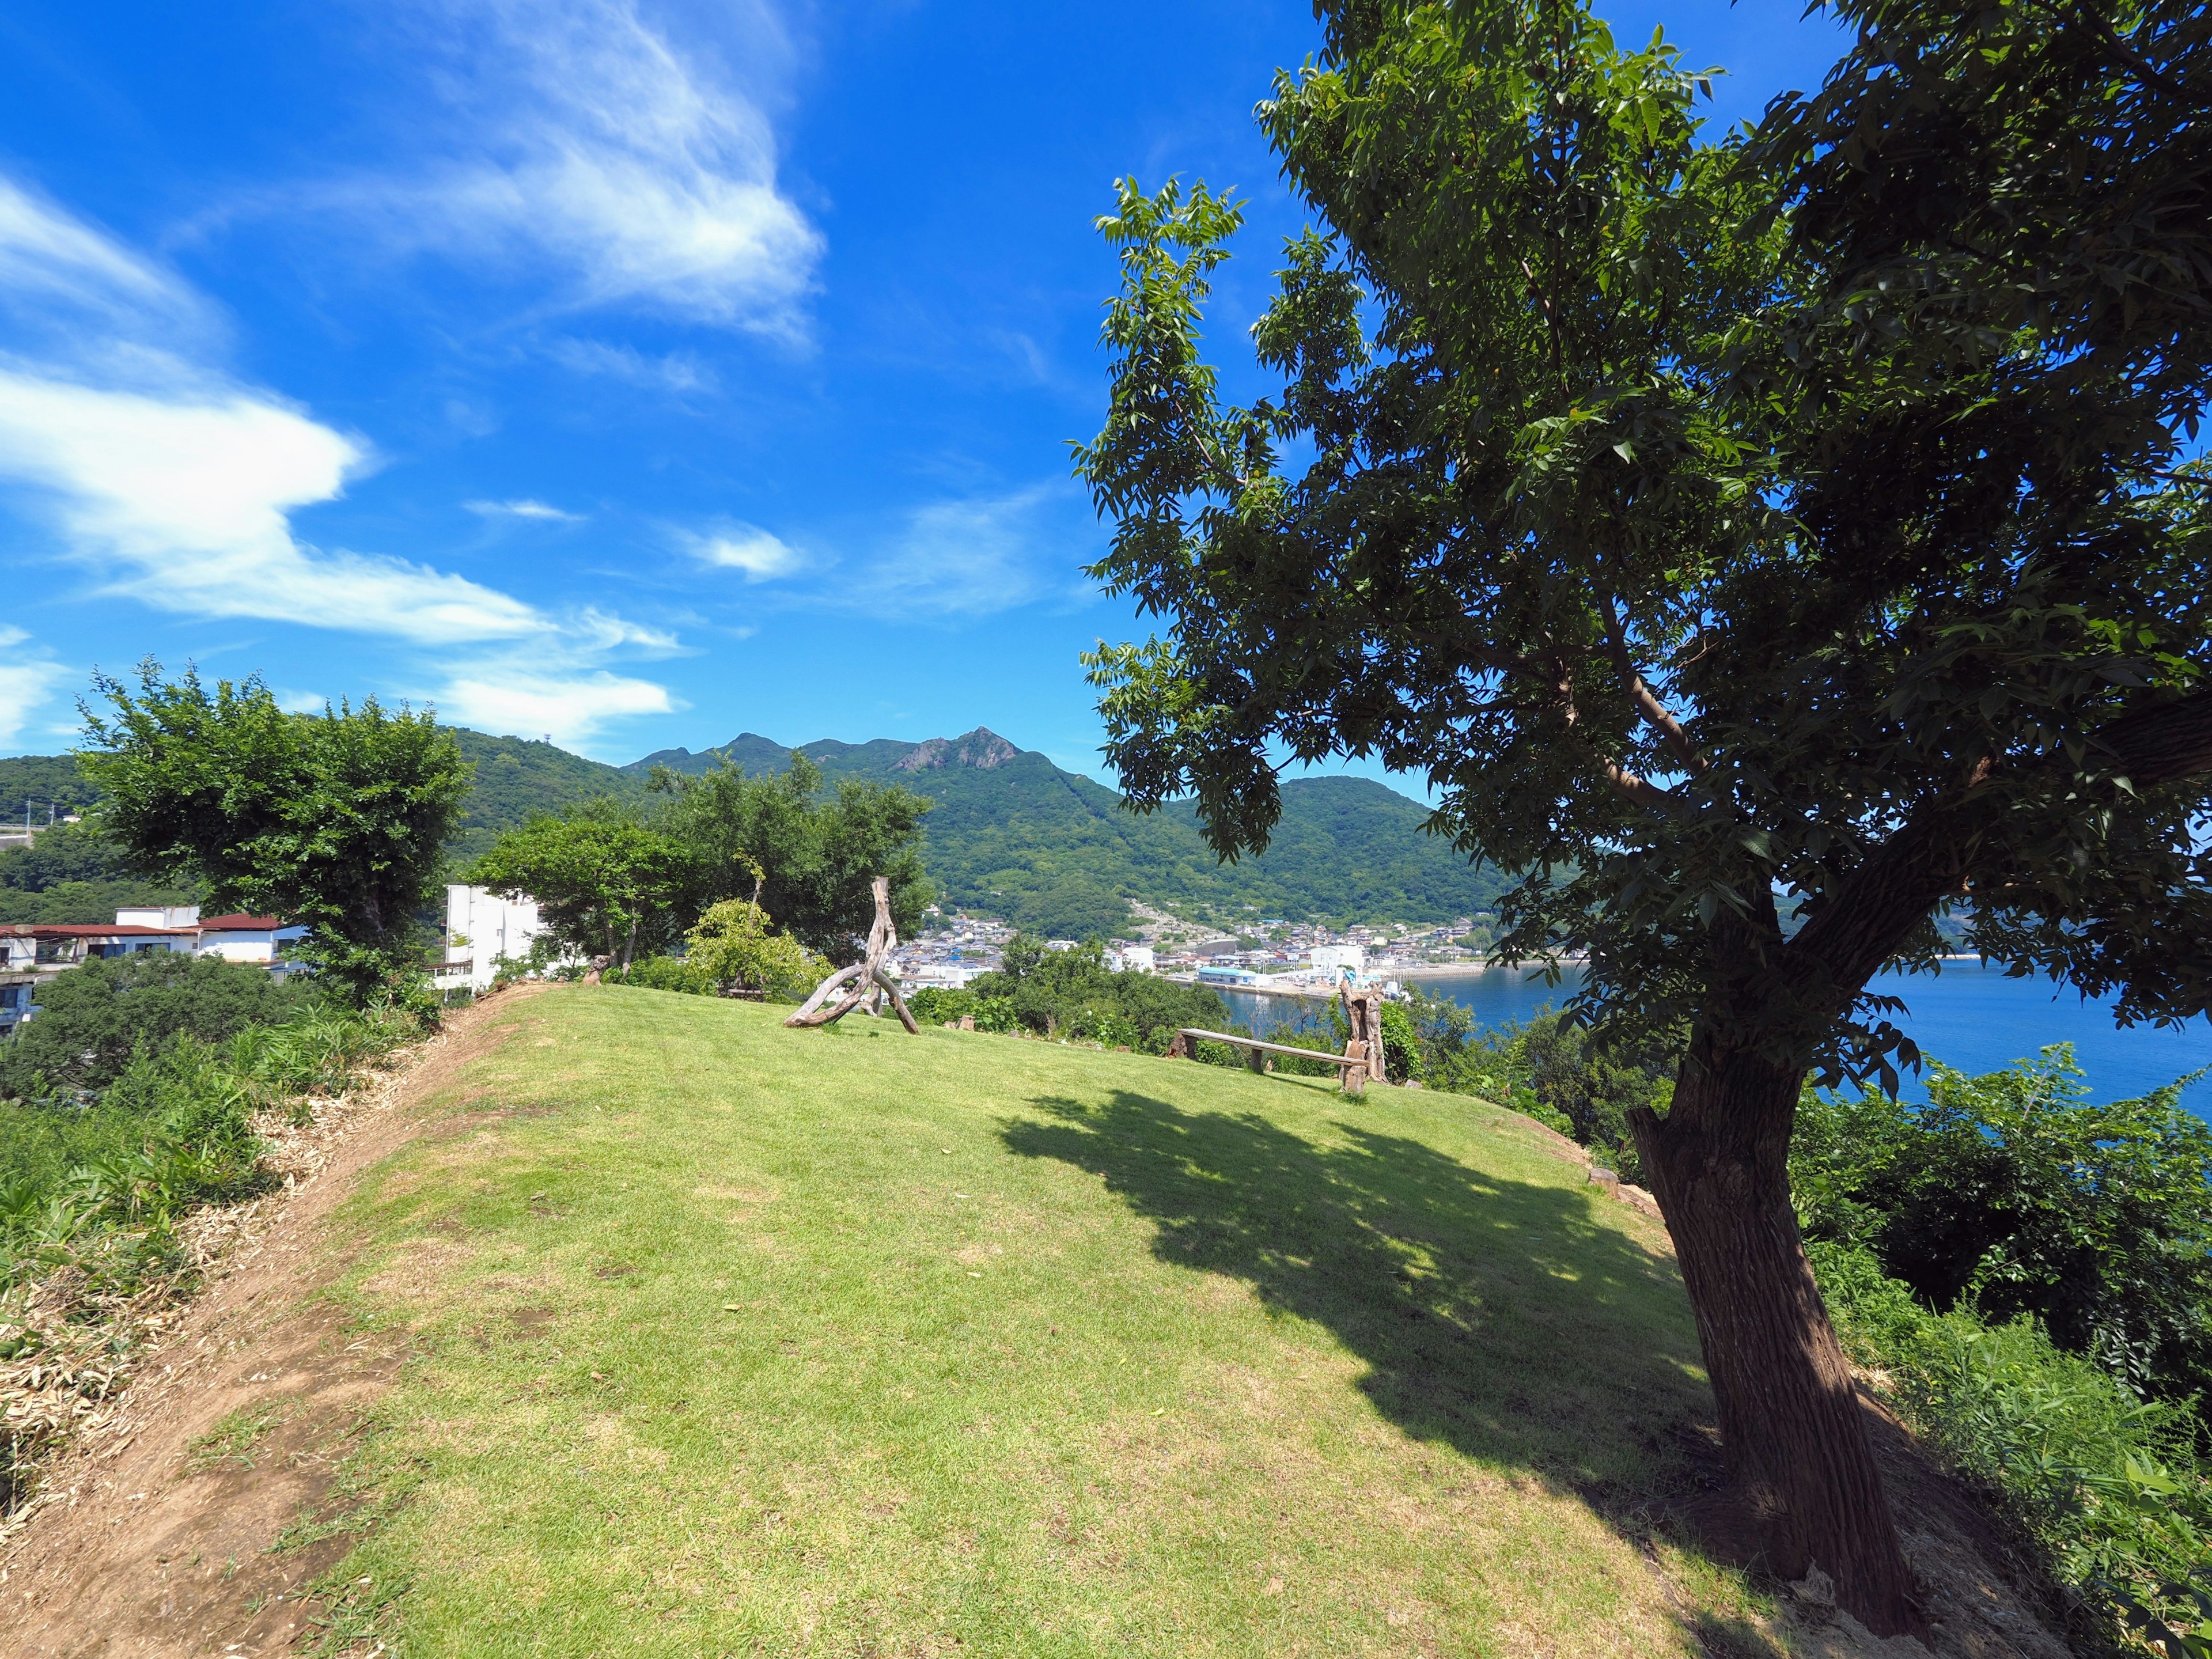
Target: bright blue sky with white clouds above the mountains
[623, 373]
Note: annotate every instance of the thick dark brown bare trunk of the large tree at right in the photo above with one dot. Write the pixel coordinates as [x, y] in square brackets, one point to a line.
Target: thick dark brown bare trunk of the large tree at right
[1791, 1419]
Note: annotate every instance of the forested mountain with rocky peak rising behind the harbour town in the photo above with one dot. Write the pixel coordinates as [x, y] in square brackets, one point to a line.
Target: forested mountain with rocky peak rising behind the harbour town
[1056, 853]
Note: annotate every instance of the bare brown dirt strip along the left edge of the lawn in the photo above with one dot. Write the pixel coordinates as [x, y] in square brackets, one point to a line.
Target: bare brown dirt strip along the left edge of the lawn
[176, 1523]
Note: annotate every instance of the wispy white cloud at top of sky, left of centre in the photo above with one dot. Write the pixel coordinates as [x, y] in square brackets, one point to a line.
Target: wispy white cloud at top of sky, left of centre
[585, 138]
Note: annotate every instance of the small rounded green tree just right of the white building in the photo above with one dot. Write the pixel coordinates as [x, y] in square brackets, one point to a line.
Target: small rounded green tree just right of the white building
[601, 879]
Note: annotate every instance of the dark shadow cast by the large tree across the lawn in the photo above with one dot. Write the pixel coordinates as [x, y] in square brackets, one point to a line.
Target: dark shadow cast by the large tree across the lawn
[1499, 1317]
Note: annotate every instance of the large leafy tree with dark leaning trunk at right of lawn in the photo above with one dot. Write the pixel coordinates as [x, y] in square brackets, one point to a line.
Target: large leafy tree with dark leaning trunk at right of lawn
[1760, 545]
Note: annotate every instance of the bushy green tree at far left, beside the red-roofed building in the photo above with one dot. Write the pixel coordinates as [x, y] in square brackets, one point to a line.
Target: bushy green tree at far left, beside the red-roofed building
[335, 822]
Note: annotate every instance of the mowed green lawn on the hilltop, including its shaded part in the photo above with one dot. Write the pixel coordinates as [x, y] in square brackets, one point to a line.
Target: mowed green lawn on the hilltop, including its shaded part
[738, 1339]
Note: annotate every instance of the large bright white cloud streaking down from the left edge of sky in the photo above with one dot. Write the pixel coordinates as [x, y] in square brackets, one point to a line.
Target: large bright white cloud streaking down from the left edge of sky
[178, 483]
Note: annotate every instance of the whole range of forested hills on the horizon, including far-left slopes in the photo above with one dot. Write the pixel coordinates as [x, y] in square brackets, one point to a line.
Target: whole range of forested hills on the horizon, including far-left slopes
[1010, 835]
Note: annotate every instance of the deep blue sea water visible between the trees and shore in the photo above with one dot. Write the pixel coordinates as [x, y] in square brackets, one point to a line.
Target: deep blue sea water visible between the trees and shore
[1968, 1016]
